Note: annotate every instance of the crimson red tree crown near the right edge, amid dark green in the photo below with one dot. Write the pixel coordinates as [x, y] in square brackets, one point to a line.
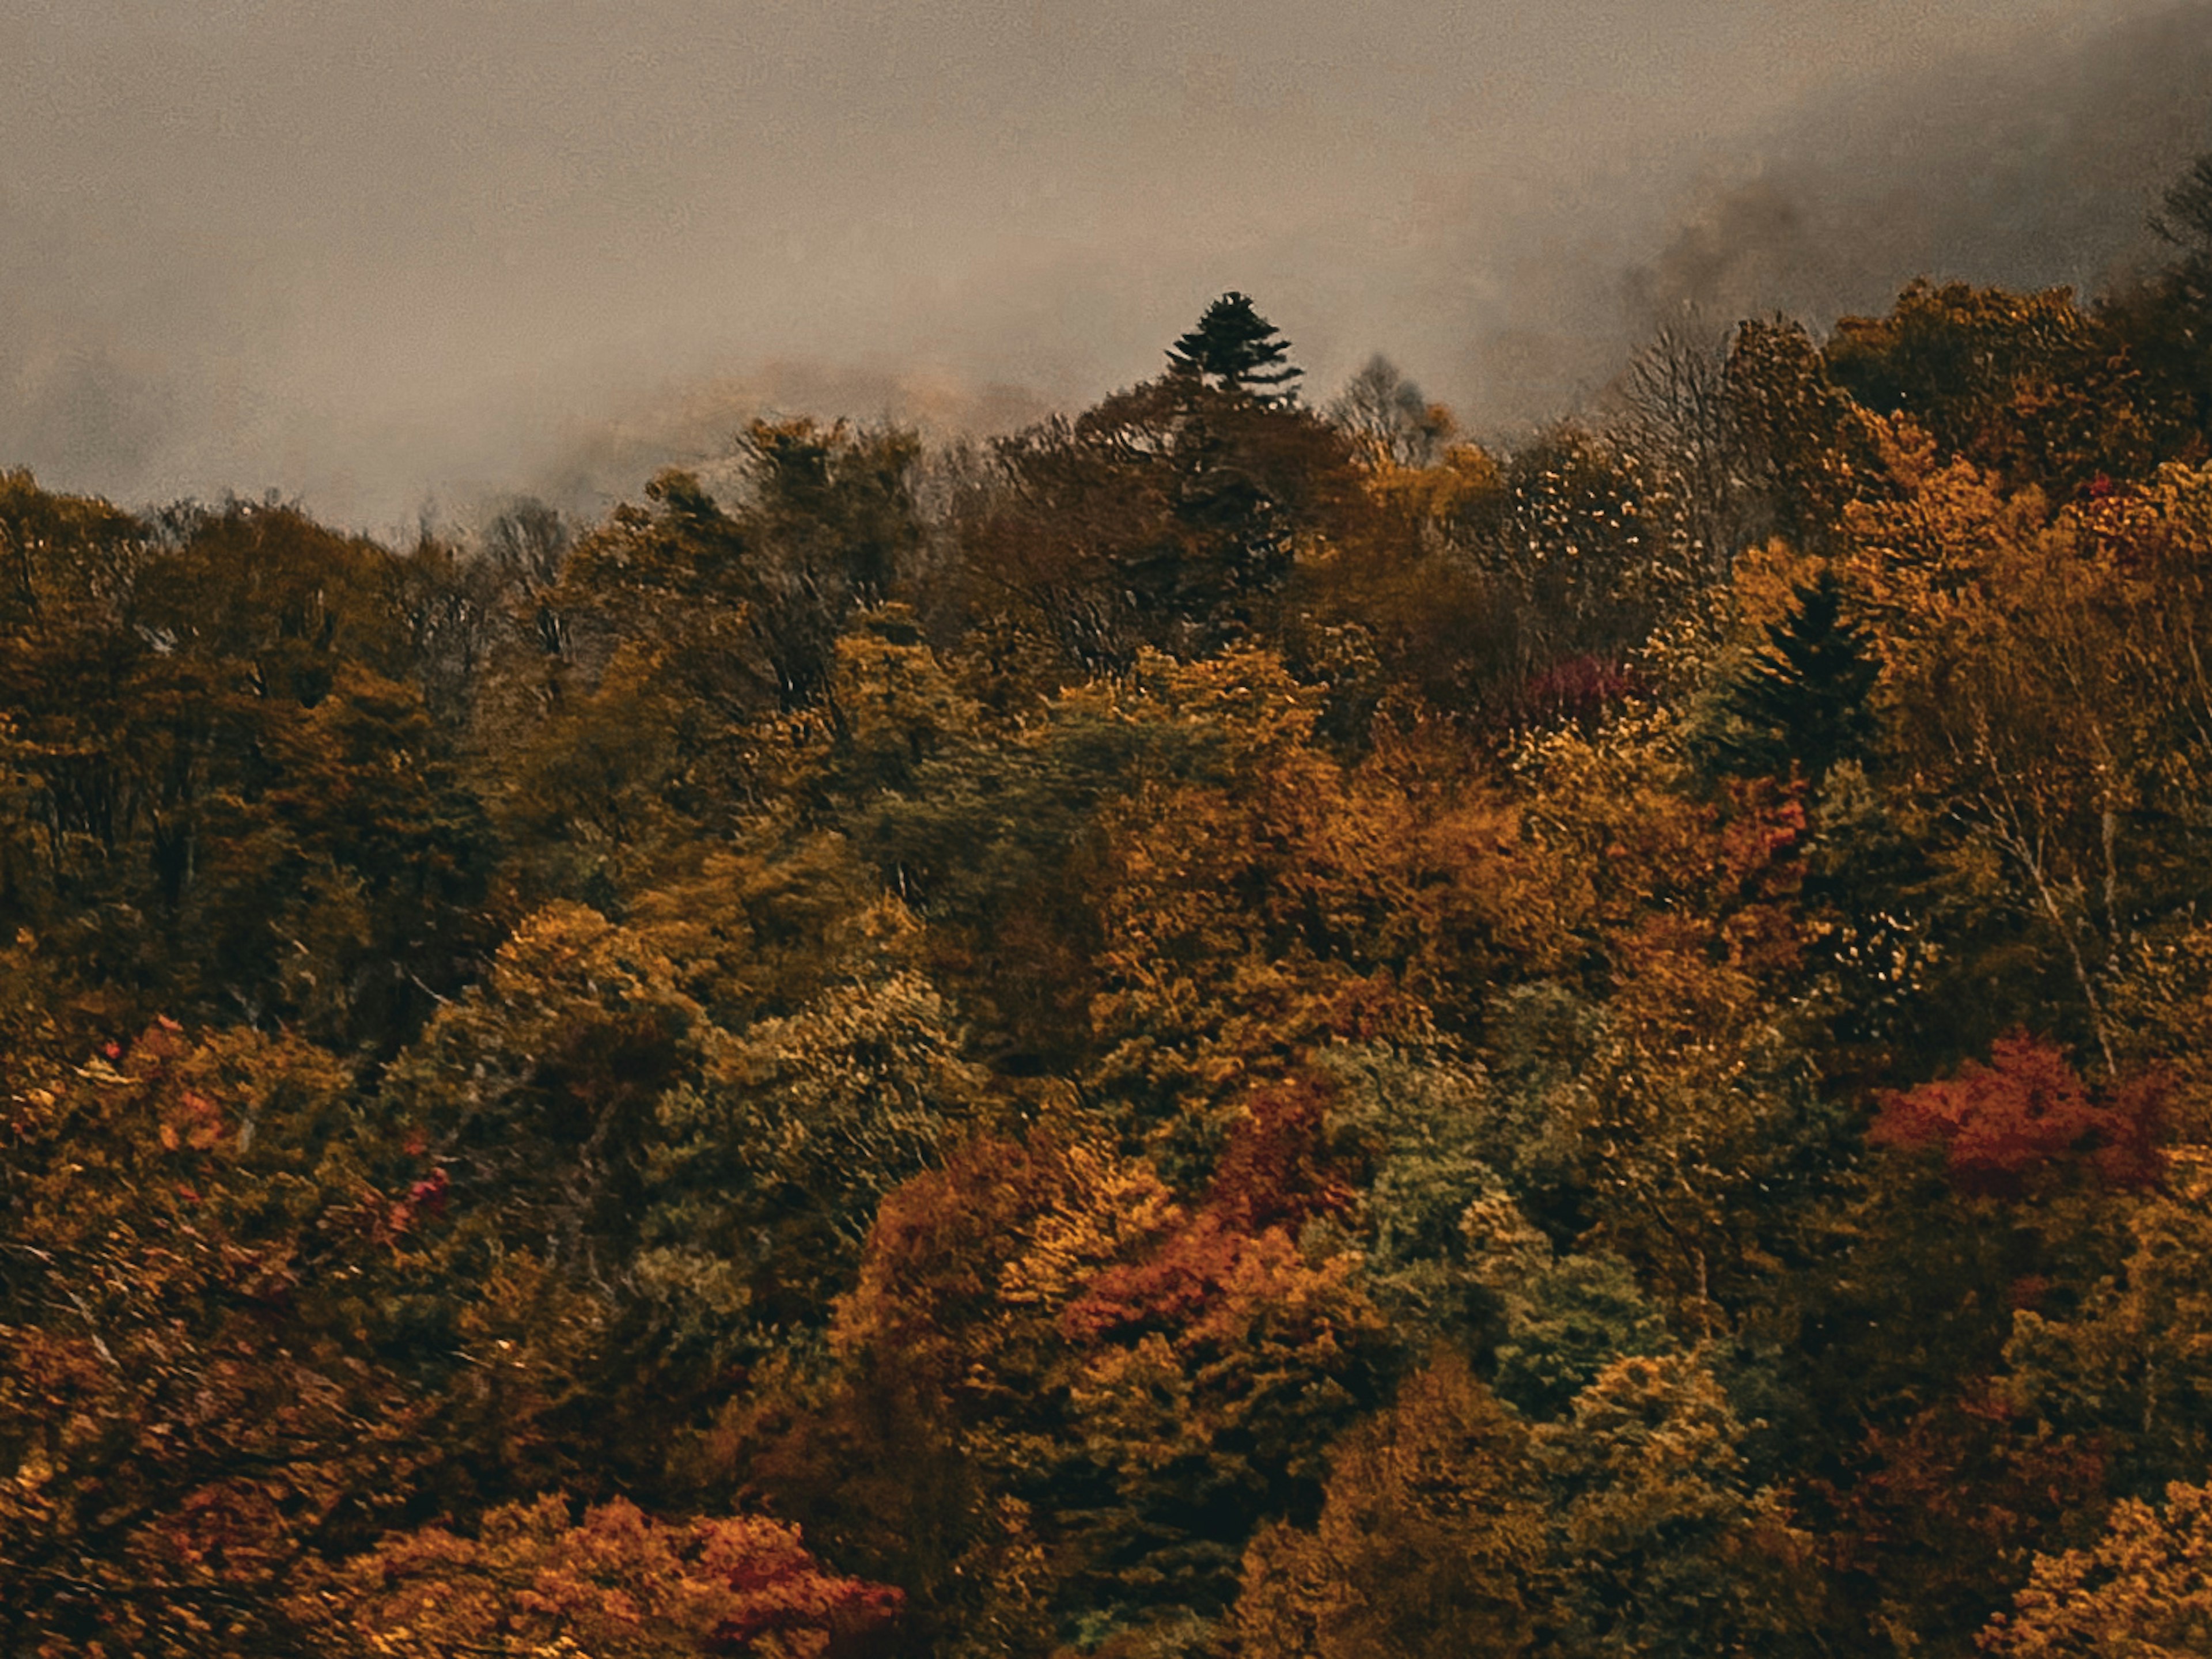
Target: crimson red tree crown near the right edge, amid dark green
[2027, 1118]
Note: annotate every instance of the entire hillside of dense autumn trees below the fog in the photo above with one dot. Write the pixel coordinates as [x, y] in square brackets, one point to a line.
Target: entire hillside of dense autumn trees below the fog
[1209, 1030]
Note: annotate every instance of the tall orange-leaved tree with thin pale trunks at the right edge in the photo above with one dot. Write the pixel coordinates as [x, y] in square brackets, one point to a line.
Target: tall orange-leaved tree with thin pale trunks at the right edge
[2043, 707]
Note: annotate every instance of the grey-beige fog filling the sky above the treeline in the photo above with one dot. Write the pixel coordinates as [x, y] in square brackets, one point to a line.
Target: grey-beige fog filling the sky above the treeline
[415, 253]
